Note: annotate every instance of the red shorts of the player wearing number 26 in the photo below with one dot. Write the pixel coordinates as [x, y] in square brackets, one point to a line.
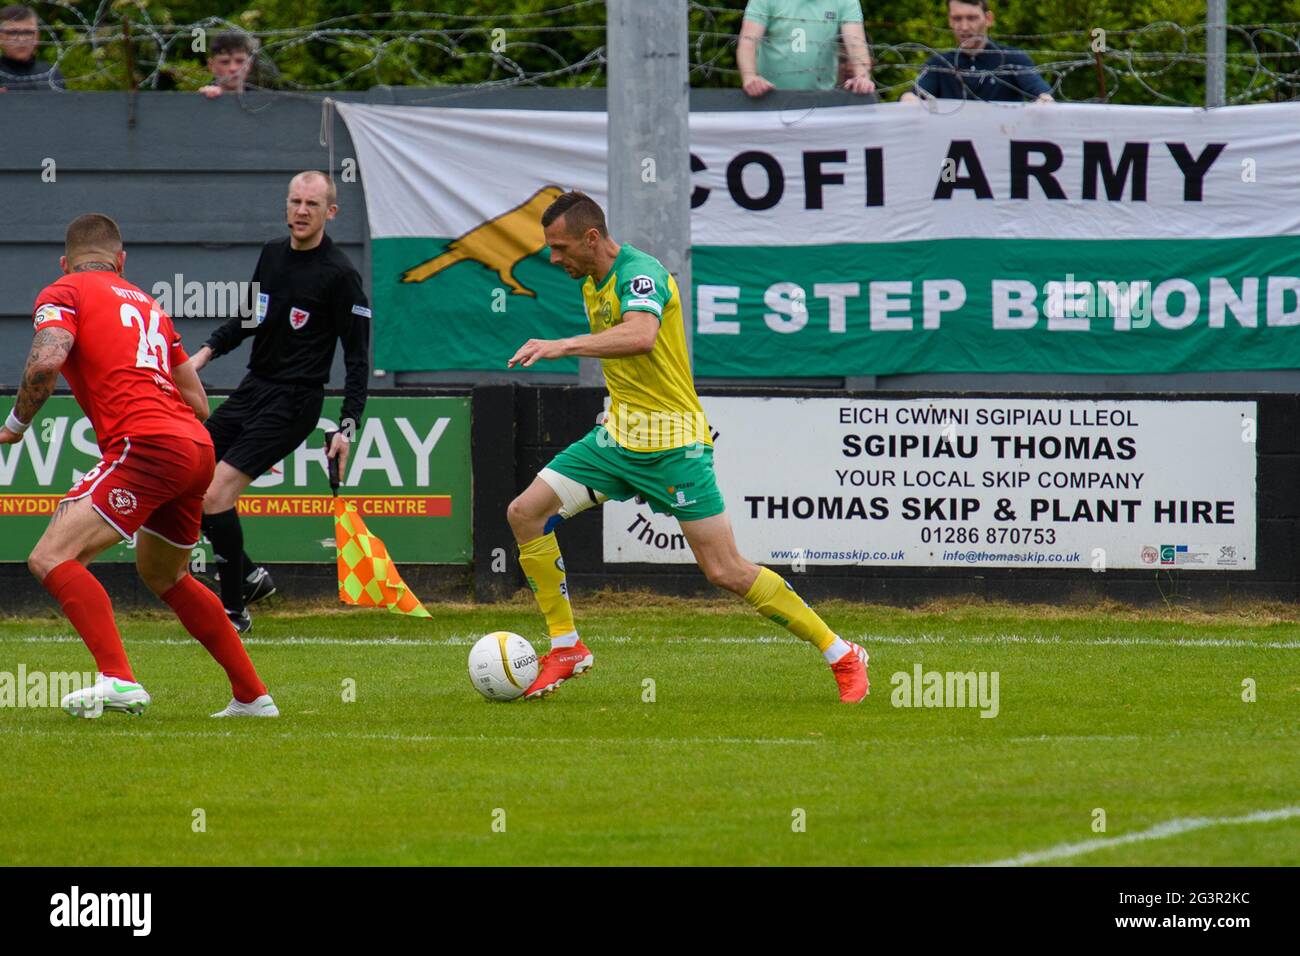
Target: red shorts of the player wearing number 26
[151, 485]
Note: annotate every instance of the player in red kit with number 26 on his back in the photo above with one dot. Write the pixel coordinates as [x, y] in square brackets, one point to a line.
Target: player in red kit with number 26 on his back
[129, 374]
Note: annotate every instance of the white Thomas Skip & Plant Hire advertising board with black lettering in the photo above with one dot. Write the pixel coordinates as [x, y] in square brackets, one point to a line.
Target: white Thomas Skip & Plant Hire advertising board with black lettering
[1055, 485]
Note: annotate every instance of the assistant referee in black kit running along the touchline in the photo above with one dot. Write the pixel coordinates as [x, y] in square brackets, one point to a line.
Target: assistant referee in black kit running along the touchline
[307, 299]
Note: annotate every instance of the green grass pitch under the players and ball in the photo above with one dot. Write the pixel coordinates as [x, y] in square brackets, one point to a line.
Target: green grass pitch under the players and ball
[743, 758]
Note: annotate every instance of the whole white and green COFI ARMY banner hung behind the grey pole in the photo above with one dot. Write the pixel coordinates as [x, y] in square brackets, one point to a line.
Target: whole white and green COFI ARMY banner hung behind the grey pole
[873, 240]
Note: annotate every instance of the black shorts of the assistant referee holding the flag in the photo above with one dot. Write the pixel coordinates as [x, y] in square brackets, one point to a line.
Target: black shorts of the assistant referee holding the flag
[263, 422]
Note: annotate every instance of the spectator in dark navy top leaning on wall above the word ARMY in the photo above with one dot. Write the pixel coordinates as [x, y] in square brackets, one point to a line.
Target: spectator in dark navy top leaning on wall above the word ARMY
[980, 70]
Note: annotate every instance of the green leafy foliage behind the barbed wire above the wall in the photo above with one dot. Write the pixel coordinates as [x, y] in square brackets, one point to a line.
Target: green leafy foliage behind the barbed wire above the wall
[1146, 51]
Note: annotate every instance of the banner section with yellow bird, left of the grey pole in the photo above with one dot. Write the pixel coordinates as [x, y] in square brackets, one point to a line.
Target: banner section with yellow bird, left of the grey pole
[460, 271]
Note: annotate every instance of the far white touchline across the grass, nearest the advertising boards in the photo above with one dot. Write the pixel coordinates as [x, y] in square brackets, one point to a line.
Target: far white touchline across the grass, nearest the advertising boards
[466, 641]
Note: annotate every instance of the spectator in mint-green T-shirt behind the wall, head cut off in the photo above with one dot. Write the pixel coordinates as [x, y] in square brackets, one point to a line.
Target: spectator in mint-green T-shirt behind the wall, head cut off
[792, 45]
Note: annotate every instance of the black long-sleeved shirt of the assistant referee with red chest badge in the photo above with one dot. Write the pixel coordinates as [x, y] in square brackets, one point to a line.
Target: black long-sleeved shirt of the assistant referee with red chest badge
[305, 304]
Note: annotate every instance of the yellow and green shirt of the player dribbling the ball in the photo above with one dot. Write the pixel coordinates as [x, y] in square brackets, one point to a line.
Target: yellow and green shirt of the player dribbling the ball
[653, 403]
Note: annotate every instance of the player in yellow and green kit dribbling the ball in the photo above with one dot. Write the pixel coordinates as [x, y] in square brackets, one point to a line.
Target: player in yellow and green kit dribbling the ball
[655, 444]
